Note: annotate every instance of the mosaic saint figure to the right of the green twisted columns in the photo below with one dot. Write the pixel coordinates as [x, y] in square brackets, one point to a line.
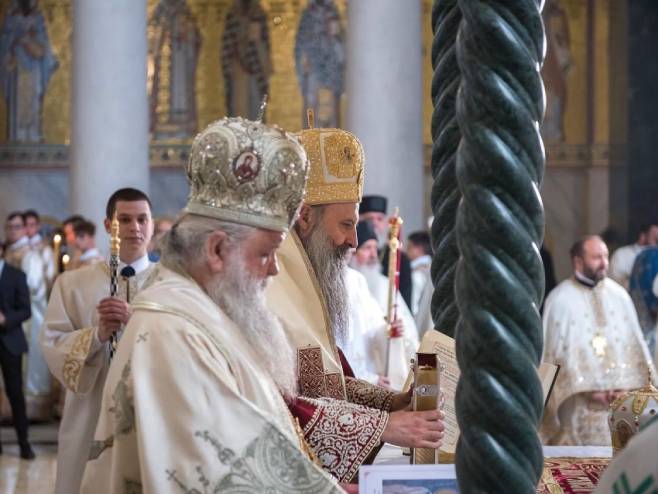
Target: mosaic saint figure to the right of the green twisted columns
[556, 69]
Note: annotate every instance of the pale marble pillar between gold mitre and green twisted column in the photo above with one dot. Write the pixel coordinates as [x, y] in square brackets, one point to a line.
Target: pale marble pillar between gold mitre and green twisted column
[384, 100]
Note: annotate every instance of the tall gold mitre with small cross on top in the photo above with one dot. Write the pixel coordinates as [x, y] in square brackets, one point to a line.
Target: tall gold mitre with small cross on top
[337, 165]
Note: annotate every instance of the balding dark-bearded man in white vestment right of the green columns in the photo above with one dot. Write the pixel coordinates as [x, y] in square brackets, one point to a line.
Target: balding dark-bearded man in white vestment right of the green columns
[592, 332]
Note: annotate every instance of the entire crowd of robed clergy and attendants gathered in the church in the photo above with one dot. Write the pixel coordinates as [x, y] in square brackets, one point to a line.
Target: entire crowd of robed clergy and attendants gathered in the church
[250, 344]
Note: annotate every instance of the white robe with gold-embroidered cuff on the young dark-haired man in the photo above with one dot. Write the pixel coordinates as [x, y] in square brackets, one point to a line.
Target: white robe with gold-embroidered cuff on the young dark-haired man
[76, 357]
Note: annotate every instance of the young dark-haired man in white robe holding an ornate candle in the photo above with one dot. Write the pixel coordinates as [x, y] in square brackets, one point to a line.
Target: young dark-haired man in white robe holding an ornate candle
[80, 319]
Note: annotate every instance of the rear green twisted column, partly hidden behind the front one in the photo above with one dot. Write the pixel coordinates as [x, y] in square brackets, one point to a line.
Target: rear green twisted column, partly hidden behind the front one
[445, 138]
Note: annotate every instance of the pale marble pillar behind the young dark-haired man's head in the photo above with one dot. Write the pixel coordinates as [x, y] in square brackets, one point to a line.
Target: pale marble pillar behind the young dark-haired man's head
[109, 131]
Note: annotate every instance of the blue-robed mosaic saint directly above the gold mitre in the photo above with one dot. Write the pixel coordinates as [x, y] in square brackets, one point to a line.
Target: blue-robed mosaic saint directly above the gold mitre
[320, 61]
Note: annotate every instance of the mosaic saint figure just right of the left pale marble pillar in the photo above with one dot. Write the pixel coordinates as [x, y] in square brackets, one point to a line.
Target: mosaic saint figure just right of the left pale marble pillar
[174, 43]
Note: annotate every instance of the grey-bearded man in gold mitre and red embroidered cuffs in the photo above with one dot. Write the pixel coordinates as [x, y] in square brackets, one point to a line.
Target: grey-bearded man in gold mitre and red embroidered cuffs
[310, 297]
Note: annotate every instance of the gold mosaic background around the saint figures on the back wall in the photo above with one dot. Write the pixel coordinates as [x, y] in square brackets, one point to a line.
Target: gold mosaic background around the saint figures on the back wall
[285, 98]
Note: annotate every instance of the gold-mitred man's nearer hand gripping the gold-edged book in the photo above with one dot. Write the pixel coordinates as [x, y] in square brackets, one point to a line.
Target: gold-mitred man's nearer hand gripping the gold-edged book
[415, 429]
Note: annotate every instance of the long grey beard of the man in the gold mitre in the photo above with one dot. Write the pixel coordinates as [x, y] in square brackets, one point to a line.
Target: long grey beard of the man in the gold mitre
[329, 264]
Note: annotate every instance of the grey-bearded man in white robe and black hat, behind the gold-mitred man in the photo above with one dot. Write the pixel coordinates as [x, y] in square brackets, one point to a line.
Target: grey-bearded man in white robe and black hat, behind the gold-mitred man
[368, 339]
